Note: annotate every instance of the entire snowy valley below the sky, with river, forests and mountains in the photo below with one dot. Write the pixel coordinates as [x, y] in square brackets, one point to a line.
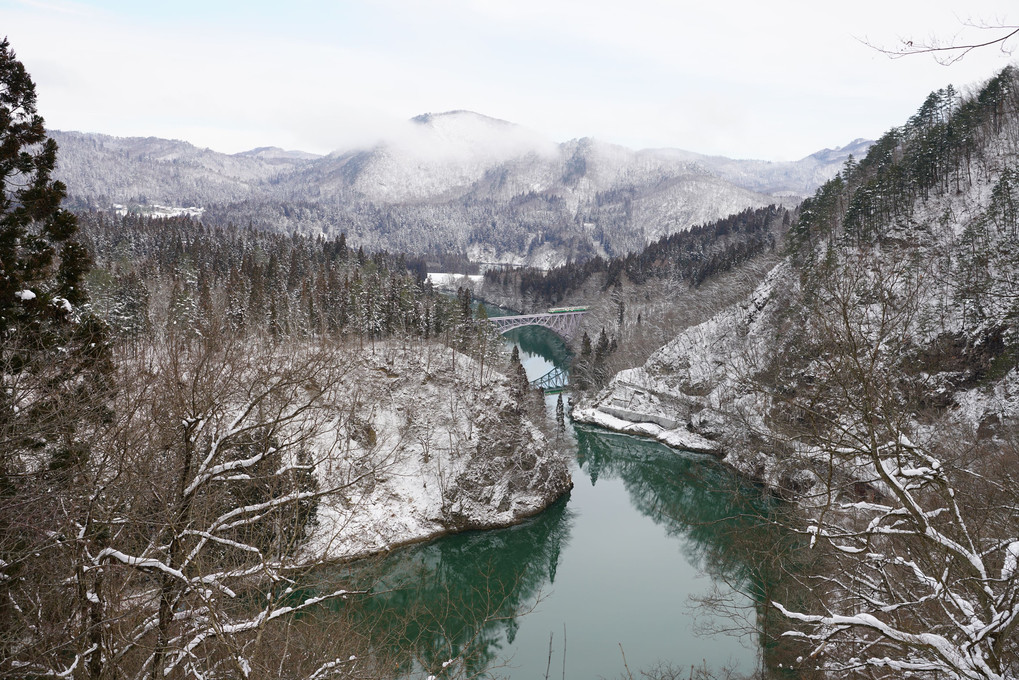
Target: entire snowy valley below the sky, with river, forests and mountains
[256, 421]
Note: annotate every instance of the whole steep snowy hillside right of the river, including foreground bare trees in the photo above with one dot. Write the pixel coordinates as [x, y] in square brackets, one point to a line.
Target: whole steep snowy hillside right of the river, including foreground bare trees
[874, 378]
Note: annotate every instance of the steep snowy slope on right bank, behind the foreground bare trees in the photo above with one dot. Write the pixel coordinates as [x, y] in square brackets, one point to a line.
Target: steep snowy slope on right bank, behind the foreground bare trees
[948, 253]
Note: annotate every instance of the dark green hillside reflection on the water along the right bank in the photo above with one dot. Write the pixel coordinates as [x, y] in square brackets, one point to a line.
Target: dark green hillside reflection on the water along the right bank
[730, 529]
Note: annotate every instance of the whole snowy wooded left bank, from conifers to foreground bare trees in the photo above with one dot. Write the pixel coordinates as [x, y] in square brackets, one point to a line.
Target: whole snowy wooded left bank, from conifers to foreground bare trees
[229, 413]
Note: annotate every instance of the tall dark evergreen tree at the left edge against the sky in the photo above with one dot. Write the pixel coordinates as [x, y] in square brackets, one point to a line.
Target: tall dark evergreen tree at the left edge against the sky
[52, 357]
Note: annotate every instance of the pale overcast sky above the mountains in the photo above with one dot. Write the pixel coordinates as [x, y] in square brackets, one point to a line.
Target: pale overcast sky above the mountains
[745, 79]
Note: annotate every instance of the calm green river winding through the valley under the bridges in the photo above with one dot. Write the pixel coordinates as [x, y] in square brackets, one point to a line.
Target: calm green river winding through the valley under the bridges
[606, 581]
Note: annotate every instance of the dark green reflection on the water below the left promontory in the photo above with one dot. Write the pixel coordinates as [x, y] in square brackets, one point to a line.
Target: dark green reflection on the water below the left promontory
[461, 598]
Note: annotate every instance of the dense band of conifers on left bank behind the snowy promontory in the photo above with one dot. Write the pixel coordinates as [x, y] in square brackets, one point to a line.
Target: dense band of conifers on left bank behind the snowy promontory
[163, 274]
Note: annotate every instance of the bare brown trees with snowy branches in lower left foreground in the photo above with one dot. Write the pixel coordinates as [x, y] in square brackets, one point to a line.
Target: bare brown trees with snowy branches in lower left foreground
[182, 550]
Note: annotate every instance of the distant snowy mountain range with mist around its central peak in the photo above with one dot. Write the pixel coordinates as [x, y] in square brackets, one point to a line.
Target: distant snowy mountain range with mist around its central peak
[454, 182]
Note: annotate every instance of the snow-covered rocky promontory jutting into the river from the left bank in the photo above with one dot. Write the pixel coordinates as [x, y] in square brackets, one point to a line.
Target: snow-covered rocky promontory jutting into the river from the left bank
[428, 448]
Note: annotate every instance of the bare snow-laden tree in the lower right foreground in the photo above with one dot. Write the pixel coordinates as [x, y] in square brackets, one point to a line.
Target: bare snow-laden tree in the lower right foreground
[918, 525]
